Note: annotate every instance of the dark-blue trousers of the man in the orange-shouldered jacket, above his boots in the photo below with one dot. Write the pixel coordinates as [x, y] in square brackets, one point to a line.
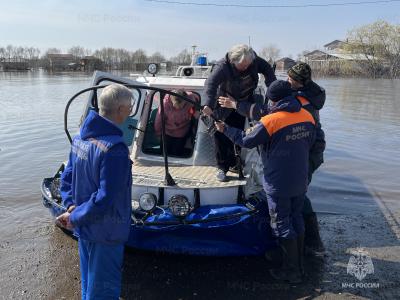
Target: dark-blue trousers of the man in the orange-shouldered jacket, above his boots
[286, 216]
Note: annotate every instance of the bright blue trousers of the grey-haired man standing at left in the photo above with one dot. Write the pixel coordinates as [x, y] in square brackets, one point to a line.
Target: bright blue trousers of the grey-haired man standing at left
[101, 270]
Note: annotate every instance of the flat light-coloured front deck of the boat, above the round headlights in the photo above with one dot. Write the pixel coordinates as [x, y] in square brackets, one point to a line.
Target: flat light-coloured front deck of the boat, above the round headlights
[148, 173]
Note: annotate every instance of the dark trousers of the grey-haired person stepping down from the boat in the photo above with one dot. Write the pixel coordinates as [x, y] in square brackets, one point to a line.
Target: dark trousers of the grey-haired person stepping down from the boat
[225, 152]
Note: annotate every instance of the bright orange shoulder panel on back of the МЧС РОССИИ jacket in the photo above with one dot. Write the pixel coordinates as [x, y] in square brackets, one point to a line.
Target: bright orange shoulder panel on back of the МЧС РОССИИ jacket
[281, 119]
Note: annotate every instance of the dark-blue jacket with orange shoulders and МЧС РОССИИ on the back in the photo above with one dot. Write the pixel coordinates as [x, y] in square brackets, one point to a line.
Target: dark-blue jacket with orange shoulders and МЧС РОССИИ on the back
[286, 136]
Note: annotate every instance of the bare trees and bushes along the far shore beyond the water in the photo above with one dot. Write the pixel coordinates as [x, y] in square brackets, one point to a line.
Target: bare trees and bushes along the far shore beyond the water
[375, 48]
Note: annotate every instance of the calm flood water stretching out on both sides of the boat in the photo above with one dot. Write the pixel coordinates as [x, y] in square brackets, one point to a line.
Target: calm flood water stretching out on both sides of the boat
[361, 120]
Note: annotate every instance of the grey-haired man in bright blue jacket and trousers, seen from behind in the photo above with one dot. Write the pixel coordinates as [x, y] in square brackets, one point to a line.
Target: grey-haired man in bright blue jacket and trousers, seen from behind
[96, 189]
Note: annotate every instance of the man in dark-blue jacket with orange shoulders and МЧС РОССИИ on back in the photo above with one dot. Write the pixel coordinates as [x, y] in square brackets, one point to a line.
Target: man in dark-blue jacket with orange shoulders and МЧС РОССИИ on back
[286, 135]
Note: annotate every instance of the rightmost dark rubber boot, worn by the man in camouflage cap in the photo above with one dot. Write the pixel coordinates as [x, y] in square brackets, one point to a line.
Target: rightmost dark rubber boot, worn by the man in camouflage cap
[312, 239]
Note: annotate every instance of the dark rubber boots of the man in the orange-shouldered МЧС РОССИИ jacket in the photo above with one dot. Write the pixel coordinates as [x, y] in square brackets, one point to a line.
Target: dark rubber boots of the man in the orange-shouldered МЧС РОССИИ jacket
[289, 270]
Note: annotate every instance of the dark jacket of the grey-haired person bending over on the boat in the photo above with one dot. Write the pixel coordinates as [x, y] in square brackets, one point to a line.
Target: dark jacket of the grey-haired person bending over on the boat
[225, 80]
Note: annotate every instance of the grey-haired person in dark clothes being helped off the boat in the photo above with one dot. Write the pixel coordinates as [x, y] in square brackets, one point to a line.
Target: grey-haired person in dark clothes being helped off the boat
[235, 77]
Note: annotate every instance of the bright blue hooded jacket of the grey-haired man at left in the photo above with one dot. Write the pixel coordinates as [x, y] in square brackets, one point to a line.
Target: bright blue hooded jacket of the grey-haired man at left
[98, 181]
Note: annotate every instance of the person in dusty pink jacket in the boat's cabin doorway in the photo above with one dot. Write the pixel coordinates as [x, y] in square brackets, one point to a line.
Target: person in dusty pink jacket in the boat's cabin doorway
[178, 116]
